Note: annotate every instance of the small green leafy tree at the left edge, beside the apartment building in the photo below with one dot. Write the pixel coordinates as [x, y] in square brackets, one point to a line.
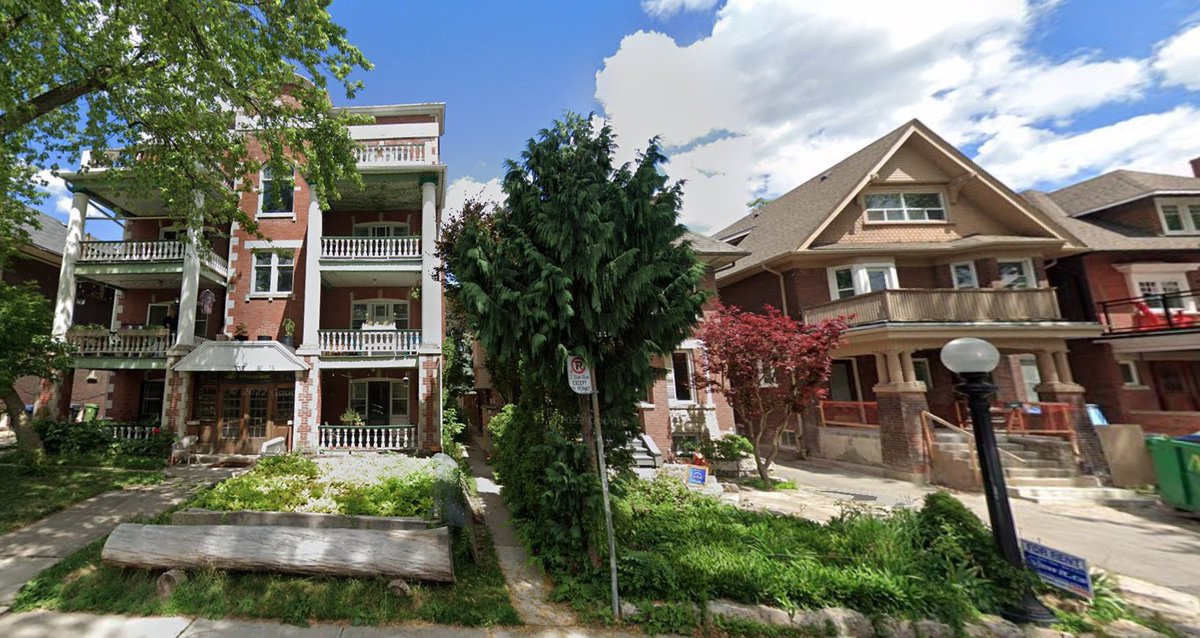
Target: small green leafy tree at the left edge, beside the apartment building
[27, 350]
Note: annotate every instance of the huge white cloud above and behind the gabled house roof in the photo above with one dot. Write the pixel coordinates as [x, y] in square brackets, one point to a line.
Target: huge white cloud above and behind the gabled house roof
[782, 91]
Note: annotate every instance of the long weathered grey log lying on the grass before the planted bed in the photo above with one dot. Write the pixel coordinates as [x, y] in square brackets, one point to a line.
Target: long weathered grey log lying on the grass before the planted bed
[409, 555]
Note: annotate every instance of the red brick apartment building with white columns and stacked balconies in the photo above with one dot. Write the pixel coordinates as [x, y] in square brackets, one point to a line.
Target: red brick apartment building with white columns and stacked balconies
[355, 282]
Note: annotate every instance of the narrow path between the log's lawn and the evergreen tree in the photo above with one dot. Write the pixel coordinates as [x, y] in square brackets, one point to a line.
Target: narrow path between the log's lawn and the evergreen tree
[527, 583]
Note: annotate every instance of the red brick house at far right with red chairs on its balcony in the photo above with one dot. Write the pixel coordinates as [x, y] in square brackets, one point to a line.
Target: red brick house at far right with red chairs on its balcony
[1142, 282]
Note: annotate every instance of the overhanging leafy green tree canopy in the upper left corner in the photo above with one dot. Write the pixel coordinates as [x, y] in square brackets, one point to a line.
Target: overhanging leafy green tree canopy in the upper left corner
[163, 82]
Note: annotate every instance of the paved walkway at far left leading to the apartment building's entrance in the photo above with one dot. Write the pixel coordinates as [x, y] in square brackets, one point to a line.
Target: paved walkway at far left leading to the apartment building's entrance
[25, 553]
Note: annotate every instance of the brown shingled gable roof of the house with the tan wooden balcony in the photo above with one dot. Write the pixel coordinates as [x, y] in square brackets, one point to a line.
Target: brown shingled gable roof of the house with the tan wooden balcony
[791, 222]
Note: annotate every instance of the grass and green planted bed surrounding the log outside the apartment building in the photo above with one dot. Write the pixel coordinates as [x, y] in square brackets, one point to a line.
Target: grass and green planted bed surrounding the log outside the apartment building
[395, 486]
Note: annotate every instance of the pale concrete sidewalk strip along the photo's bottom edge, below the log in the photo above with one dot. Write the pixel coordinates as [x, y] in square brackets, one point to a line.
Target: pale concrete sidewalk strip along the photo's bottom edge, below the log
[49, 624]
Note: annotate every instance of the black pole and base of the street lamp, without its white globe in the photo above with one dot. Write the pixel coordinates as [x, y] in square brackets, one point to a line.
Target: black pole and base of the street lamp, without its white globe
[1004, 528]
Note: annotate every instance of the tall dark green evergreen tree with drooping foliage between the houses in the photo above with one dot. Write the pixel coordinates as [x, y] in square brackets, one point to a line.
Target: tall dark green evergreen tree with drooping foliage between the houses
[586, 257]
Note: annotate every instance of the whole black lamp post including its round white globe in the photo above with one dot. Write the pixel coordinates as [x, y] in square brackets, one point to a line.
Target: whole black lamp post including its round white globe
[973, 359]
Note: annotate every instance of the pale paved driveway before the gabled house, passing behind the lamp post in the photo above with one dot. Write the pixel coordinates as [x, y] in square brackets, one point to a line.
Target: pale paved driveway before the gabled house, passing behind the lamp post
[1143, 543]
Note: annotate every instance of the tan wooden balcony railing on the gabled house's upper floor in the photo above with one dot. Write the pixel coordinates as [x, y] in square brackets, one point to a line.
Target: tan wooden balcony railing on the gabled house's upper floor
[943, 305]
